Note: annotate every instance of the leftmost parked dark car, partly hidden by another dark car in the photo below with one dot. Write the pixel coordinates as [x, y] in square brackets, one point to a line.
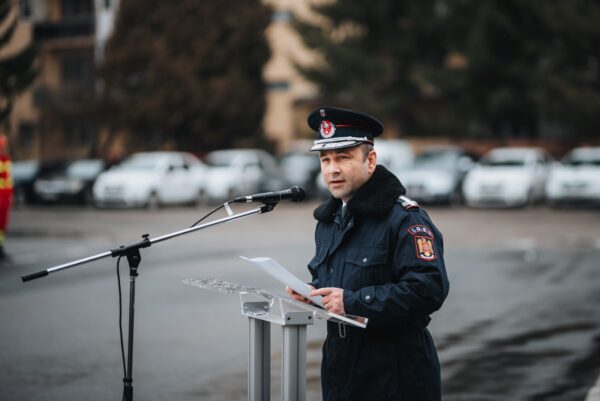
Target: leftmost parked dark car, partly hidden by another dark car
[24, 173]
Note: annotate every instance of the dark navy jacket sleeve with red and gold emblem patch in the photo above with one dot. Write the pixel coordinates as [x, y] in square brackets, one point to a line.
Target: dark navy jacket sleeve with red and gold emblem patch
[420, 283]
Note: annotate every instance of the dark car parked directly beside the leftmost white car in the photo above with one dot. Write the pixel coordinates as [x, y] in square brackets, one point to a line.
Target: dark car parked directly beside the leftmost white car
[71, 183]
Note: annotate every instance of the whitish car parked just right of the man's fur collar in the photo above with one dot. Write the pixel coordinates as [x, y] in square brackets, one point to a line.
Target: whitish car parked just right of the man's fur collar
[437, 175]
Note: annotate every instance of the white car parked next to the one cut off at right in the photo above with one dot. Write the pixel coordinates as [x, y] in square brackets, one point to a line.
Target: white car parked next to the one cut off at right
[507, 177]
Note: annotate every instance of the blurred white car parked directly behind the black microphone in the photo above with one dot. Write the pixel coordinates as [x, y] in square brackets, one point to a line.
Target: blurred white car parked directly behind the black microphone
[238, 172]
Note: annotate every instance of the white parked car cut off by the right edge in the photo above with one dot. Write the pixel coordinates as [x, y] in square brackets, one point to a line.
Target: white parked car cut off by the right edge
[576, 178]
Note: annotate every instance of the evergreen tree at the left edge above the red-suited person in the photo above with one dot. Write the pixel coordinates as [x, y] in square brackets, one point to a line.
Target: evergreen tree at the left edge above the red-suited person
[17, 70]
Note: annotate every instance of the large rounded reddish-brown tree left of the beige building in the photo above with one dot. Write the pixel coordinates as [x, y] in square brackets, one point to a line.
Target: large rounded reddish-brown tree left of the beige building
[190, 73]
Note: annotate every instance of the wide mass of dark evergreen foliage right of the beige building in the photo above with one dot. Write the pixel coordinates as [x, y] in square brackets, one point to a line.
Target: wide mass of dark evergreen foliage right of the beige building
[504, 67]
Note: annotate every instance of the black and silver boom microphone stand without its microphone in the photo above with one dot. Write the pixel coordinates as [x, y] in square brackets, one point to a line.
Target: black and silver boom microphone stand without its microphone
[132, 252]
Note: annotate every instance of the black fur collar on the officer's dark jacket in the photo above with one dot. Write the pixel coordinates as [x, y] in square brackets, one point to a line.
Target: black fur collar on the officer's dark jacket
[374, 199]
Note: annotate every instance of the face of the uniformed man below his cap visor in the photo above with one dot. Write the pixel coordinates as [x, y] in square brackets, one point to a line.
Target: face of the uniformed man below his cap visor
[346, 170]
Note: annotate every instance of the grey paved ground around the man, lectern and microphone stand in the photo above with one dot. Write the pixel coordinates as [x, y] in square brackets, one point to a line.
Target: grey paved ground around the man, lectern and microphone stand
[521, 321]
